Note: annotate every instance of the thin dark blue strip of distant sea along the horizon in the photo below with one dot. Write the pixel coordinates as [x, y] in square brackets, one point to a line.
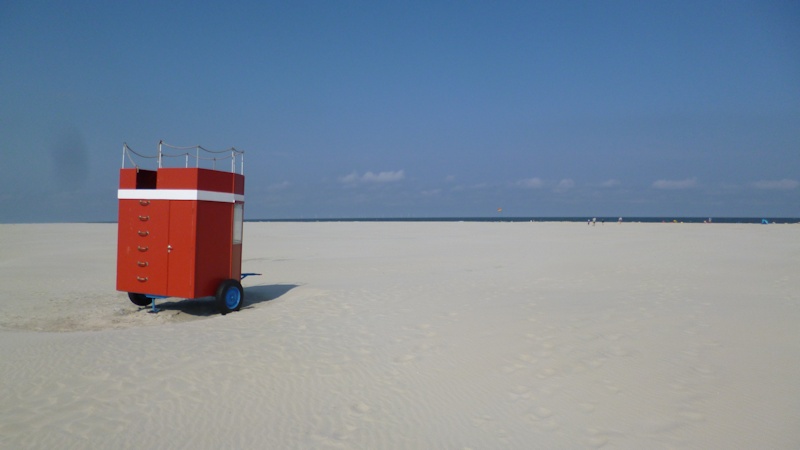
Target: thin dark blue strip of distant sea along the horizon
[756, 220]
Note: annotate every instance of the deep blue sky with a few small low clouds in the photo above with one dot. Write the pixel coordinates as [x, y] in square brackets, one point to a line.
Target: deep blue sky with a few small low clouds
[410, 109]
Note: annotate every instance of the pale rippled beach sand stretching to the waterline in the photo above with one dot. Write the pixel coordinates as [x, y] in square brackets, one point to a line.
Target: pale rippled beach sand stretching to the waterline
[413, 335]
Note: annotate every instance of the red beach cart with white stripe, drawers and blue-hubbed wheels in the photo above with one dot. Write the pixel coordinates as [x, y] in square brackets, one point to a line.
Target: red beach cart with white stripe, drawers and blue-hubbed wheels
[180, 228]
